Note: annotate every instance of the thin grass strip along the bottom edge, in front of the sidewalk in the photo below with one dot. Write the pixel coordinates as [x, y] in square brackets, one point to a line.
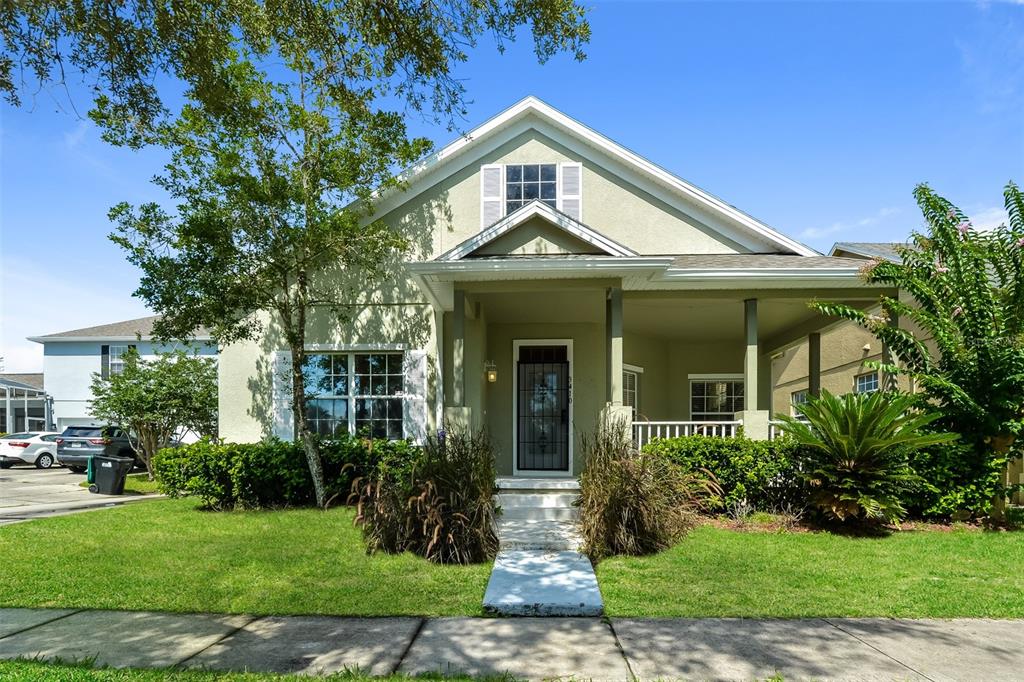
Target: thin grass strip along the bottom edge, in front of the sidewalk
[31, 671]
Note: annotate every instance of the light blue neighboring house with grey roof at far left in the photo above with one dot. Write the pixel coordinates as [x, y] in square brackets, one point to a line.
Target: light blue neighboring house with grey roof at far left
[70, 360]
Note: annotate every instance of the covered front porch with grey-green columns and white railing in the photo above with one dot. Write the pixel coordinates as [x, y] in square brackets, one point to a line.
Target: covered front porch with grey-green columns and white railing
[540, 361]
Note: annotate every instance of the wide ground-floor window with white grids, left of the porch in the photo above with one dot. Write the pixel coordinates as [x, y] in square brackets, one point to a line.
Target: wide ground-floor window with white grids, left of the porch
[360, 394]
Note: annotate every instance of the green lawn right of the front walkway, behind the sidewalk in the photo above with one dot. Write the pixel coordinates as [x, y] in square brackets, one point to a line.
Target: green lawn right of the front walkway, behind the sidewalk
[720, 573]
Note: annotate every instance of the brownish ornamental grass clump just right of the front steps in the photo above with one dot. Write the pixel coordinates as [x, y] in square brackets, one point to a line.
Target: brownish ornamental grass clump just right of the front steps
[632, 502]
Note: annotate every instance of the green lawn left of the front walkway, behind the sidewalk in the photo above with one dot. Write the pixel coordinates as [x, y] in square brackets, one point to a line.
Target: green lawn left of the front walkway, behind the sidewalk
[167, 556]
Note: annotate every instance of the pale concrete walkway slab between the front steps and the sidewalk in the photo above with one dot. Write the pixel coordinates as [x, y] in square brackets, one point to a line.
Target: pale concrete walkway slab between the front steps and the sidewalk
[537, 583]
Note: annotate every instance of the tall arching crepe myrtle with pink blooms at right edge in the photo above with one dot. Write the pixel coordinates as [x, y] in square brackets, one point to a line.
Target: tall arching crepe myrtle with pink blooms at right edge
[966, 288]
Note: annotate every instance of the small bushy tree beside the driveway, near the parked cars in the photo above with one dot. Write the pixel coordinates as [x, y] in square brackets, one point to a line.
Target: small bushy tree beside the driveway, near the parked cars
[155, 400]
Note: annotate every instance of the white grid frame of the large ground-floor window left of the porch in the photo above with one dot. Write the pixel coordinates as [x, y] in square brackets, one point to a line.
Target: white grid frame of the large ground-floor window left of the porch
[352, 398]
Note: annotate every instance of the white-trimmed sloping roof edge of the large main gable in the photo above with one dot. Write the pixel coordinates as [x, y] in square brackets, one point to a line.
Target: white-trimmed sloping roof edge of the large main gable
[533, 113]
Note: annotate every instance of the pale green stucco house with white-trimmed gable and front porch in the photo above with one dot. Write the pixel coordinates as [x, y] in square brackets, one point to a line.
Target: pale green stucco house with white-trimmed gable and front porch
[557, 279]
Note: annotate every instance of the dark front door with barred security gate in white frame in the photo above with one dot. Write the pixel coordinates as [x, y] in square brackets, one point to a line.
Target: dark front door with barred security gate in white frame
[543, 395]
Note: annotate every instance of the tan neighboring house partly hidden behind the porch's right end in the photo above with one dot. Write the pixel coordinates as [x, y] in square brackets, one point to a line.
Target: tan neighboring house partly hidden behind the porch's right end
[845, 351]
